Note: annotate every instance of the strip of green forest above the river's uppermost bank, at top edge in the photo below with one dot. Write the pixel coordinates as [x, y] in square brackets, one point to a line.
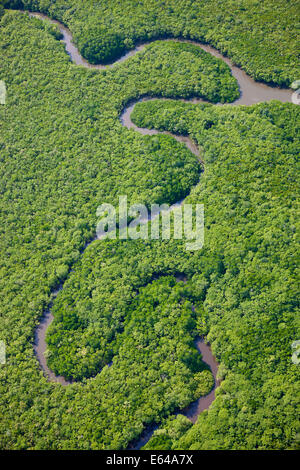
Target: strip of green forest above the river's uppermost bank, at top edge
[261, 36]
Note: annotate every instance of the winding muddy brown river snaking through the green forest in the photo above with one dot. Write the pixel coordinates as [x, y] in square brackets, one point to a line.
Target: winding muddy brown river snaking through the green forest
[250, 92]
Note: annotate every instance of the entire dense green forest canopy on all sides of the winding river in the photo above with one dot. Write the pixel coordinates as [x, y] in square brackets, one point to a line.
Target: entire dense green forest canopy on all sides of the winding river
[64, 152]
